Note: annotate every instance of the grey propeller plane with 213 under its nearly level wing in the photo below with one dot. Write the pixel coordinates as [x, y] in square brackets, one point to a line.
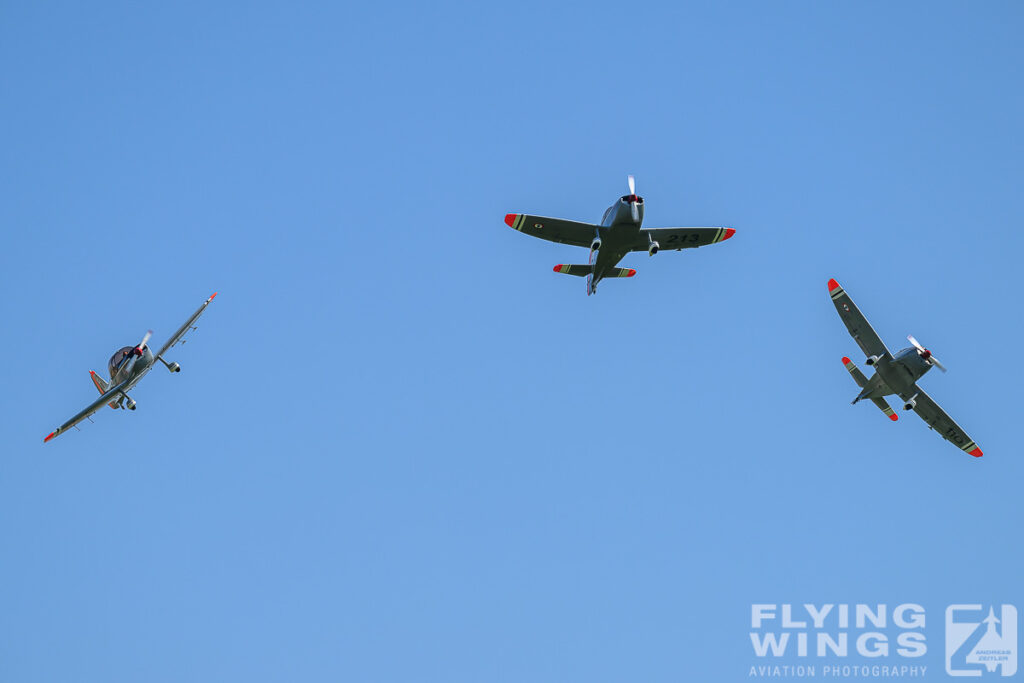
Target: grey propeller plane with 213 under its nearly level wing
[618, 235]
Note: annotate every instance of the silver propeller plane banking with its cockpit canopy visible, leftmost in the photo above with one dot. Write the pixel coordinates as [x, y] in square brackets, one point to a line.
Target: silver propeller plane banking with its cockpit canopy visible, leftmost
[127, 367]
